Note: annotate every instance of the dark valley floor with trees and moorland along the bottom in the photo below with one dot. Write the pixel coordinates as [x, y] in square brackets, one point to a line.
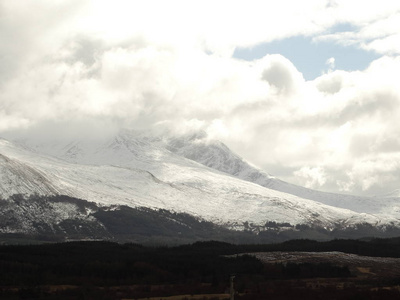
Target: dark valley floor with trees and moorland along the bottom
[339, 269]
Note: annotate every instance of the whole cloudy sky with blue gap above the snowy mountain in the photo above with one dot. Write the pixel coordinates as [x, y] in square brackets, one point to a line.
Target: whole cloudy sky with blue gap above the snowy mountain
[306, 90]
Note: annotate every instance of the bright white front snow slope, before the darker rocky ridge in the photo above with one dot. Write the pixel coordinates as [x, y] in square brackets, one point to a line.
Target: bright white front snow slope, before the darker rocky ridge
[132, 170]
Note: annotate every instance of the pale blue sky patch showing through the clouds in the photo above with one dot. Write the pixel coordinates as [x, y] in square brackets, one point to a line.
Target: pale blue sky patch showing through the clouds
[310, 57]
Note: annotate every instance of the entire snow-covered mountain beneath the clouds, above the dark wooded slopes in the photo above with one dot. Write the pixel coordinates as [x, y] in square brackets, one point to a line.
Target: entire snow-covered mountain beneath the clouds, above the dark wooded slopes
[187, 174]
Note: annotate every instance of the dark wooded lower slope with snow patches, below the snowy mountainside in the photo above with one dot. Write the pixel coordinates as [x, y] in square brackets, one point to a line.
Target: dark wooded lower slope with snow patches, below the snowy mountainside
[59, 218]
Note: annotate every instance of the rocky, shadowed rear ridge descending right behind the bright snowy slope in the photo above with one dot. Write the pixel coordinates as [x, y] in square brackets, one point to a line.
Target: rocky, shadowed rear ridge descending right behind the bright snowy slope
[216, 155]
